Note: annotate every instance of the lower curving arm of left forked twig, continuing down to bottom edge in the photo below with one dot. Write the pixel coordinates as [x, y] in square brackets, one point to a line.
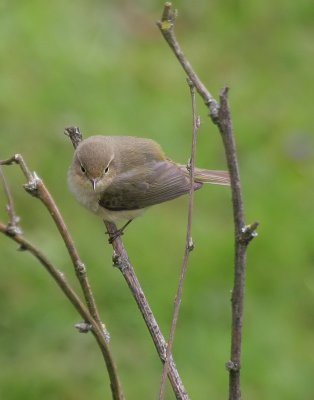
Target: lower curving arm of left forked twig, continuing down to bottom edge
[61, 281]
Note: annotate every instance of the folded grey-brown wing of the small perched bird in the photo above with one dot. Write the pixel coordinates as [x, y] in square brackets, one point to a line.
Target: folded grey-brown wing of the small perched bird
[133, 190]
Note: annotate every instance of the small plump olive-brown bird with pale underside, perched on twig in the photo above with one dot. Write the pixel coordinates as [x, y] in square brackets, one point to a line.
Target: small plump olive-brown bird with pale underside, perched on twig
[119, 177]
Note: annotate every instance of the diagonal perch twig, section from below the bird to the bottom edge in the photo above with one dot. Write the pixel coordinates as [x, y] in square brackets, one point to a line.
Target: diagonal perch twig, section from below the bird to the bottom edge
[121, 260]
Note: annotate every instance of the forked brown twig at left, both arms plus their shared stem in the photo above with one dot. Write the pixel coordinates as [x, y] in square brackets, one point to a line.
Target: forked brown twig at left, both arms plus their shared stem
[36, 187]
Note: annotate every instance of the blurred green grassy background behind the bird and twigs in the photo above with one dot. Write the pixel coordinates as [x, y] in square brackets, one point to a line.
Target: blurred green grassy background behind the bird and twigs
[103, 66]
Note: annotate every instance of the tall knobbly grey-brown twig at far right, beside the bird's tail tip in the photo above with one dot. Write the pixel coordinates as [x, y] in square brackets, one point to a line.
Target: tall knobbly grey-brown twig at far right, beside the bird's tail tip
[243, 233]
